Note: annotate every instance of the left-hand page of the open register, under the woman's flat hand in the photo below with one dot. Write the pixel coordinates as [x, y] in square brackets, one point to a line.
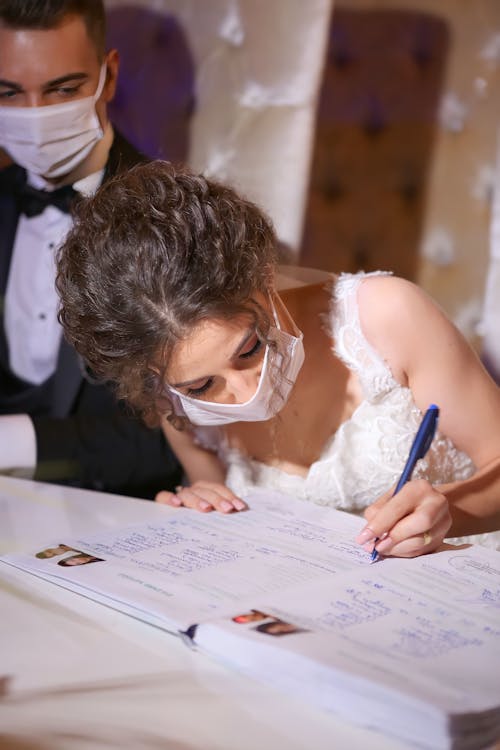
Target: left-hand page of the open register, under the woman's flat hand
[191, 566]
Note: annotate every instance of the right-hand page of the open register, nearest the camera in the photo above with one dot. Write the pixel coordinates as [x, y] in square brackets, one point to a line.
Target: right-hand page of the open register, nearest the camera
[424, 631]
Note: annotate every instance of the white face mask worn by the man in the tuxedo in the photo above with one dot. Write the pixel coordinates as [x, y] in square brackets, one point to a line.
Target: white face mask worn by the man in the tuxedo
[52, 140]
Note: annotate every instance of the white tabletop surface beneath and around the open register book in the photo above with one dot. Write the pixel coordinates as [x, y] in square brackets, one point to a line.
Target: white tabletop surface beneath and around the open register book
[81, 676]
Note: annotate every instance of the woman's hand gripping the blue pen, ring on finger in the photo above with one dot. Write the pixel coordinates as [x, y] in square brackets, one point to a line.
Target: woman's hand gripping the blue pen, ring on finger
[411, 523]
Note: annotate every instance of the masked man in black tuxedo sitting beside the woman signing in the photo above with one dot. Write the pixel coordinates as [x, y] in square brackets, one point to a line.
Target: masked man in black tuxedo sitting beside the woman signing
[56, 423]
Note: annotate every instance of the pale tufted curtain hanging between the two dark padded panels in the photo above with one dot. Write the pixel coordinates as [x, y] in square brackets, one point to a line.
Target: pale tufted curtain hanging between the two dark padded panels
[258, 71]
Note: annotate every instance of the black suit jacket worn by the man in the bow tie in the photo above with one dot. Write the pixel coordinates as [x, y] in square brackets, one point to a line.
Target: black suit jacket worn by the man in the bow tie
[84, 436]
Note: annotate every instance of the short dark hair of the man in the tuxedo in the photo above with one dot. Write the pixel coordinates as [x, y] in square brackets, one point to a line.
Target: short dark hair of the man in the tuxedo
[47, 14]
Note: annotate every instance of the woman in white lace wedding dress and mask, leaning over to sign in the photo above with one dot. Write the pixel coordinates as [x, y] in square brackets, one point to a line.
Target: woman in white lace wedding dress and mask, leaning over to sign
[169, 287]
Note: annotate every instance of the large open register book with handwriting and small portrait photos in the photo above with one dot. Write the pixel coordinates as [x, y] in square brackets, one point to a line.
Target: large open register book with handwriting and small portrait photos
[282, 593]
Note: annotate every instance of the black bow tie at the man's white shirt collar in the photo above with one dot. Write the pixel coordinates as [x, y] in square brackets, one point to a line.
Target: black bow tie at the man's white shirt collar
[30, 200]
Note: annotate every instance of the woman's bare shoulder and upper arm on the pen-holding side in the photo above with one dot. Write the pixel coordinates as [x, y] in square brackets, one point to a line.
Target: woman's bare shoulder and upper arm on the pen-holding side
[428, 354]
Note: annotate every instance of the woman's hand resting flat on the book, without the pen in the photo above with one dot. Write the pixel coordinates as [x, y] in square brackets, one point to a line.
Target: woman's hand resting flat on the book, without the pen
[203, 496]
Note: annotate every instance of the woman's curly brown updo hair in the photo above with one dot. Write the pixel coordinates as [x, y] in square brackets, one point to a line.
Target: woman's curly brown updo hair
[157, 250]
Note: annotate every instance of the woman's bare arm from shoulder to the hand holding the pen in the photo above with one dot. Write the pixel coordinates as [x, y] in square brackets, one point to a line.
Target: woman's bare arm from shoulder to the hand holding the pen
[429, 355]
